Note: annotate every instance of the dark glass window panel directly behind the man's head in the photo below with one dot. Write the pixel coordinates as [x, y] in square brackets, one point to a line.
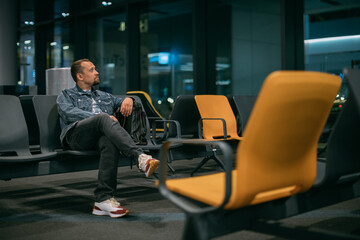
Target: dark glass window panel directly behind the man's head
[107, 51]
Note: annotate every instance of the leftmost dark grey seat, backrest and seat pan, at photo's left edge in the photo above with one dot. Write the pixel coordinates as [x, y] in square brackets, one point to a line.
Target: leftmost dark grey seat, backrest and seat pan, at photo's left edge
[14, 138]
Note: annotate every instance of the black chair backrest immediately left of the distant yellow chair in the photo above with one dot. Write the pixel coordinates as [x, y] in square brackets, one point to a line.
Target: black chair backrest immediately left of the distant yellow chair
[187, 114]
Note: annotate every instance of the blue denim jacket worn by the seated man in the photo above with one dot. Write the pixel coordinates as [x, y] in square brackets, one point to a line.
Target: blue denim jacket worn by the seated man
[74, 104]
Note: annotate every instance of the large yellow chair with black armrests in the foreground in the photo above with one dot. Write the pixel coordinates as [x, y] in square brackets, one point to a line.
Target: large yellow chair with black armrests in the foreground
[275, 159]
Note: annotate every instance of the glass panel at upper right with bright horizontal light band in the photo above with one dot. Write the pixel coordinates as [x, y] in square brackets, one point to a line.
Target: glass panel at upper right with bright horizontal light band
[332, 43]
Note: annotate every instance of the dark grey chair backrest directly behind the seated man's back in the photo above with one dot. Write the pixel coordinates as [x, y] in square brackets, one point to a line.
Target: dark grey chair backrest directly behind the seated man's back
[48, 119]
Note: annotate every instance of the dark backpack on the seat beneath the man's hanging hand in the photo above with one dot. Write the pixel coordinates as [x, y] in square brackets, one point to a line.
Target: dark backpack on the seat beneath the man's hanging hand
[135, 124]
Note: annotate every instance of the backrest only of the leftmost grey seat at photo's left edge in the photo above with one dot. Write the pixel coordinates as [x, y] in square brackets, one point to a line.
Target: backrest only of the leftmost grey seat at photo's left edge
[14, 136]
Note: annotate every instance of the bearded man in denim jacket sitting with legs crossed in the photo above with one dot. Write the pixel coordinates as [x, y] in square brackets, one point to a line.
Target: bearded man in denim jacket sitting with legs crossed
[87, 123]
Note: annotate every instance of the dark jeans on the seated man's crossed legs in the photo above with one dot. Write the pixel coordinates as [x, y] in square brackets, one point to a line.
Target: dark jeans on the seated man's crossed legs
[102, 133]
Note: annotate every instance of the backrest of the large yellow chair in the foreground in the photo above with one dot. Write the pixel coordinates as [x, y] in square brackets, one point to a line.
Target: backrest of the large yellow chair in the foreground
[277, 157]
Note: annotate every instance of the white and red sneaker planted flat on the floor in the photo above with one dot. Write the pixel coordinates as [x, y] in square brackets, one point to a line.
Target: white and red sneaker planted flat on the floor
[109, 207]
